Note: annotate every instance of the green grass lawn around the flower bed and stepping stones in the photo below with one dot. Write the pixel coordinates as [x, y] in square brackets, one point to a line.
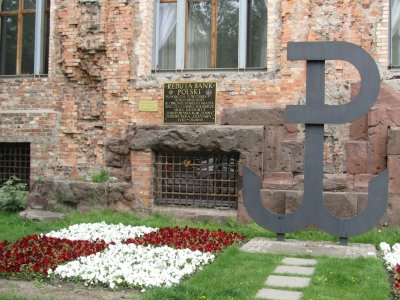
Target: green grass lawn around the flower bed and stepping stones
[235, 274]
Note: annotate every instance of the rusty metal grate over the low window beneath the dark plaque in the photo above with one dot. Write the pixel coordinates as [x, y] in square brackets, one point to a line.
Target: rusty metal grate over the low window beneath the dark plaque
[196, 179]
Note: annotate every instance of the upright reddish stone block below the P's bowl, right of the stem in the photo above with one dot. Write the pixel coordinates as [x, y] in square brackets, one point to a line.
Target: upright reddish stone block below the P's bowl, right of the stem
[357, 157]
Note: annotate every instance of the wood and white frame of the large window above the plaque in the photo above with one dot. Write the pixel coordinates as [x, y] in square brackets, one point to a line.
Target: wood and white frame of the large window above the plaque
[181, 37]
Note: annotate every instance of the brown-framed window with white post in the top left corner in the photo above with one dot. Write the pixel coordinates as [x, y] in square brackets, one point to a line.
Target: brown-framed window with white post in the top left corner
[24, 36]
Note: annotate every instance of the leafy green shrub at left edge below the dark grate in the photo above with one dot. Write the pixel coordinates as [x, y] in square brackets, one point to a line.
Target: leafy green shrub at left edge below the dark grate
[13, 195]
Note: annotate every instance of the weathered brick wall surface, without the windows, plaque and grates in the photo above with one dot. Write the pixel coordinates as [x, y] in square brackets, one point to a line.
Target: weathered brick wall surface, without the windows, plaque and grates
[79, 117]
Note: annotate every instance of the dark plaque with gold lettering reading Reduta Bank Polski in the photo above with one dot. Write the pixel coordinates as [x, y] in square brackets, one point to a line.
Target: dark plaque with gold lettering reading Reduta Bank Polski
[189, 102]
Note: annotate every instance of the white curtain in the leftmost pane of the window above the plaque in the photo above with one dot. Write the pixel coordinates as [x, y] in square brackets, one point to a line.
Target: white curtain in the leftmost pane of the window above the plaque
[166, 36]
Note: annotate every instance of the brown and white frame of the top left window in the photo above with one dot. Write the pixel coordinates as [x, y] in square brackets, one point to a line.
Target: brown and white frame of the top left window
[41, 36]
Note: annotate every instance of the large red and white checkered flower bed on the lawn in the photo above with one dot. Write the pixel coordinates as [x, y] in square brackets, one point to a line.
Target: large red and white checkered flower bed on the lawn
[115, 255]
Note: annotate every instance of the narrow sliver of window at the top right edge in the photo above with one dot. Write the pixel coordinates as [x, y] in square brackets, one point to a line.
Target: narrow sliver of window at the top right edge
[395, 32]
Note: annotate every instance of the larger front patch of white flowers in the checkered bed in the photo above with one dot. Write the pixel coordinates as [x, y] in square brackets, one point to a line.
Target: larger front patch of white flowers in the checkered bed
[135, 265]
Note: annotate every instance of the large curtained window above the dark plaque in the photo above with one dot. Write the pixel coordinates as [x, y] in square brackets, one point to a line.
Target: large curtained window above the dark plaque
[203, 34]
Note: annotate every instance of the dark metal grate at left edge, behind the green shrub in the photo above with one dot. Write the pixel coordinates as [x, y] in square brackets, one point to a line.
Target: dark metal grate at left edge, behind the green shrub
[14, 161]
